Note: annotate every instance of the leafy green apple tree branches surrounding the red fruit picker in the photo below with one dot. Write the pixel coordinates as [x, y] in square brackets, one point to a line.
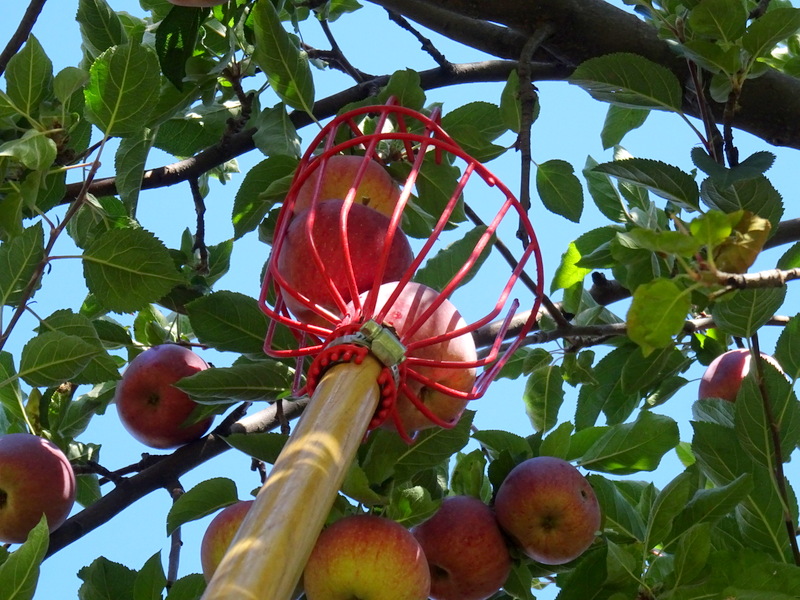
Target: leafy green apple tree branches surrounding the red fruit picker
[671, 267]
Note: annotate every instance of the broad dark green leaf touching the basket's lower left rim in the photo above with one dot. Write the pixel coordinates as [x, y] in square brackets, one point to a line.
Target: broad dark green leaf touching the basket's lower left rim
[229, 321]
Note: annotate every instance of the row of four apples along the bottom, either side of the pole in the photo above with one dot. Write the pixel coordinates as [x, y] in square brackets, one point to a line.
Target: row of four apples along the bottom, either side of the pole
[544, 509]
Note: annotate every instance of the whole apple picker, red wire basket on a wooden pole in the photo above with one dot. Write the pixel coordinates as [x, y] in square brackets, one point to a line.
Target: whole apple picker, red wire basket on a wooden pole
[364, 287]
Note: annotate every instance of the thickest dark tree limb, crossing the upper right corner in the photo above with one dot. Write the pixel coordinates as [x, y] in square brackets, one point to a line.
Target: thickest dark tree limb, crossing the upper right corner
[769, 106]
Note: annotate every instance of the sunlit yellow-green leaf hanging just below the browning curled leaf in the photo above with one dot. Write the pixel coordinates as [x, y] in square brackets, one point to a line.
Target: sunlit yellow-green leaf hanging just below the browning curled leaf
[657, 313]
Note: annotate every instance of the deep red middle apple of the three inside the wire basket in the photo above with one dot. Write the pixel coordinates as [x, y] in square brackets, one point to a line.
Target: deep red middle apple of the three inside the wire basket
[365, 237]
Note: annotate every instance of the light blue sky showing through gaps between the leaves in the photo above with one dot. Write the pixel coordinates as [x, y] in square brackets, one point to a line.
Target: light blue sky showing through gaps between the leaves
[568, 128]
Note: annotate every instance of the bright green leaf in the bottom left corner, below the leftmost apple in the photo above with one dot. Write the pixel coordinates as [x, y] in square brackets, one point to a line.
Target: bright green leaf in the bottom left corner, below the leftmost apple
[20, 571]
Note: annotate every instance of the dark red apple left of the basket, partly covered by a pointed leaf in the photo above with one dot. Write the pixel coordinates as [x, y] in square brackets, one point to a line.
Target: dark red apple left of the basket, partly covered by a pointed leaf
[150, 407]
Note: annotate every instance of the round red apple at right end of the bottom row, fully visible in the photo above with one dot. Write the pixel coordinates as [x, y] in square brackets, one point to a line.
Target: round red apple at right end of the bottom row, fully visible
[549, 509]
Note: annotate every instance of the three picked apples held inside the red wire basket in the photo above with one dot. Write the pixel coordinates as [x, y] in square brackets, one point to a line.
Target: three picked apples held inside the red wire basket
[438, 359]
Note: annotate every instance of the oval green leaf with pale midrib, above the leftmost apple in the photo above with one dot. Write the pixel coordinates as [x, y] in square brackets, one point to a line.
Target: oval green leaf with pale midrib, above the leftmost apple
[52, 358]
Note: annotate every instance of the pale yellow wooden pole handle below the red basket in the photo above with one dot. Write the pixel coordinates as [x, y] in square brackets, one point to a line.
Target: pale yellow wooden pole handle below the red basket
[266, 557]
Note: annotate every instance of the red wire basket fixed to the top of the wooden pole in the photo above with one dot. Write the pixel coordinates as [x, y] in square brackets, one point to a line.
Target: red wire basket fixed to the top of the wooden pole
[334, 331]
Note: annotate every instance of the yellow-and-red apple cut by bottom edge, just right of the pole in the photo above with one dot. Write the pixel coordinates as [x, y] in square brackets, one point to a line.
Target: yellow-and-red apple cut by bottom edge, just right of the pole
[369, 558]
